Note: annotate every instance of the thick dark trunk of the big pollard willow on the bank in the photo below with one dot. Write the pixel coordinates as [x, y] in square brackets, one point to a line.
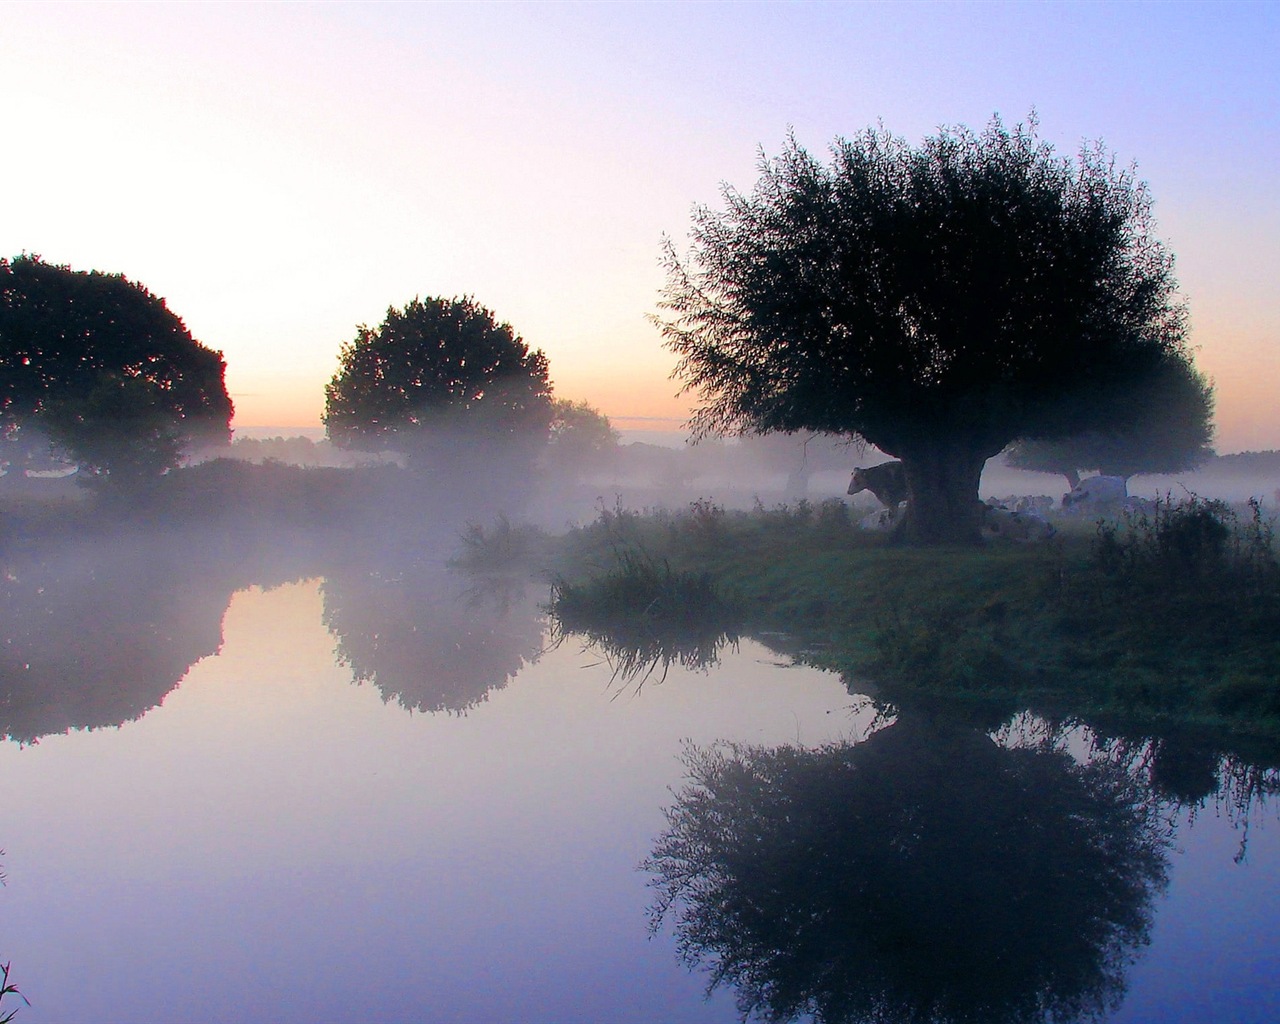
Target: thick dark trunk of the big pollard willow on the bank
[943, 493]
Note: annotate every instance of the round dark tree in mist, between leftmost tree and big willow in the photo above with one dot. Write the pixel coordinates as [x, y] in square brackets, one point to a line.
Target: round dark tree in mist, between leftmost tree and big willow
[433, 380]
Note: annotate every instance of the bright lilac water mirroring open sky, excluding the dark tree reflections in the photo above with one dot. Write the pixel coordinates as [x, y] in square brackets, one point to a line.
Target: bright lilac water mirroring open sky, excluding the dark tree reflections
[277, 844]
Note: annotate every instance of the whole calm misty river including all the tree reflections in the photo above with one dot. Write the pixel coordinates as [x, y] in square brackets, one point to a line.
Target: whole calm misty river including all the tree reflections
[328, 801]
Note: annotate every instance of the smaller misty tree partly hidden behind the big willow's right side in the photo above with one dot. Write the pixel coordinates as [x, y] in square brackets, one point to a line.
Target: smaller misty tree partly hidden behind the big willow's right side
[1171, 429]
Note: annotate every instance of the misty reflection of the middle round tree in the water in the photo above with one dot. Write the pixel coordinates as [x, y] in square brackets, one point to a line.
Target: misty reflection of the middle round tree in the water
[426, 638]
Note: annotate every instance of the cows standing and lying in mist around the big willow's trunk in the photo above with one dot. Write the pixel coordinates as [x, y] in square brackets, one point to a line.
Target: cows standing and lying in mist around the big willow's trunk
[1018, 518]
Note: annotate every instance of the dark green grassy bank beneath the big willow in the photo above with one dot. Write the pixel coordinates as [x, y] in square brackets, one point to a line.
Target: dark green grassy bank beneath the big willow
[1169, 620]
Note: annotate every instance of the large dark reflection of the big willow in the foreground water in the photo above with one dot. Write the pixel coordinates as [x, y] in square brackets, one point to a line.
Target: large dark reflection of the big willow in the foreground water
[925, 875]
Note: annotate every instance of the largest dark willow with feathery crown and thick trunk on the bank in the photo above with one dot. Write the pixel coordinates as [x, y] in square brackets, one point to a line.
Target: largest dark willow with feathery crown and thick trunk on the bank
[938, 301]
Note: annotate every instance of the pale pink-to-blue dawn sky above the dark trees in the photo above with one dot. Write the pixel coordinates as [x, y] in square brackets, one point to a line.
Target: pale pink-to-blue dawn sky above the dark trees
[284, 173]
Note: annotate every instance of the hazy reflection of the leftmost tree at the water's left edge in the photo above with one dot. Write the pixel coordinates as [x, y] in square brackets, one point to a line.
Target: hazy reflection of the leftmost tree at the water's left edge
[97, 634]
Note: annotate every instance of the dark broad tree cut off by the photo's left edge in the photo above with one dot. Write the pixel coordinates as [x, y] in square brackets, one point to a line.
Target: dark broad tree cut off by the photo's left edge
[102, 368]
